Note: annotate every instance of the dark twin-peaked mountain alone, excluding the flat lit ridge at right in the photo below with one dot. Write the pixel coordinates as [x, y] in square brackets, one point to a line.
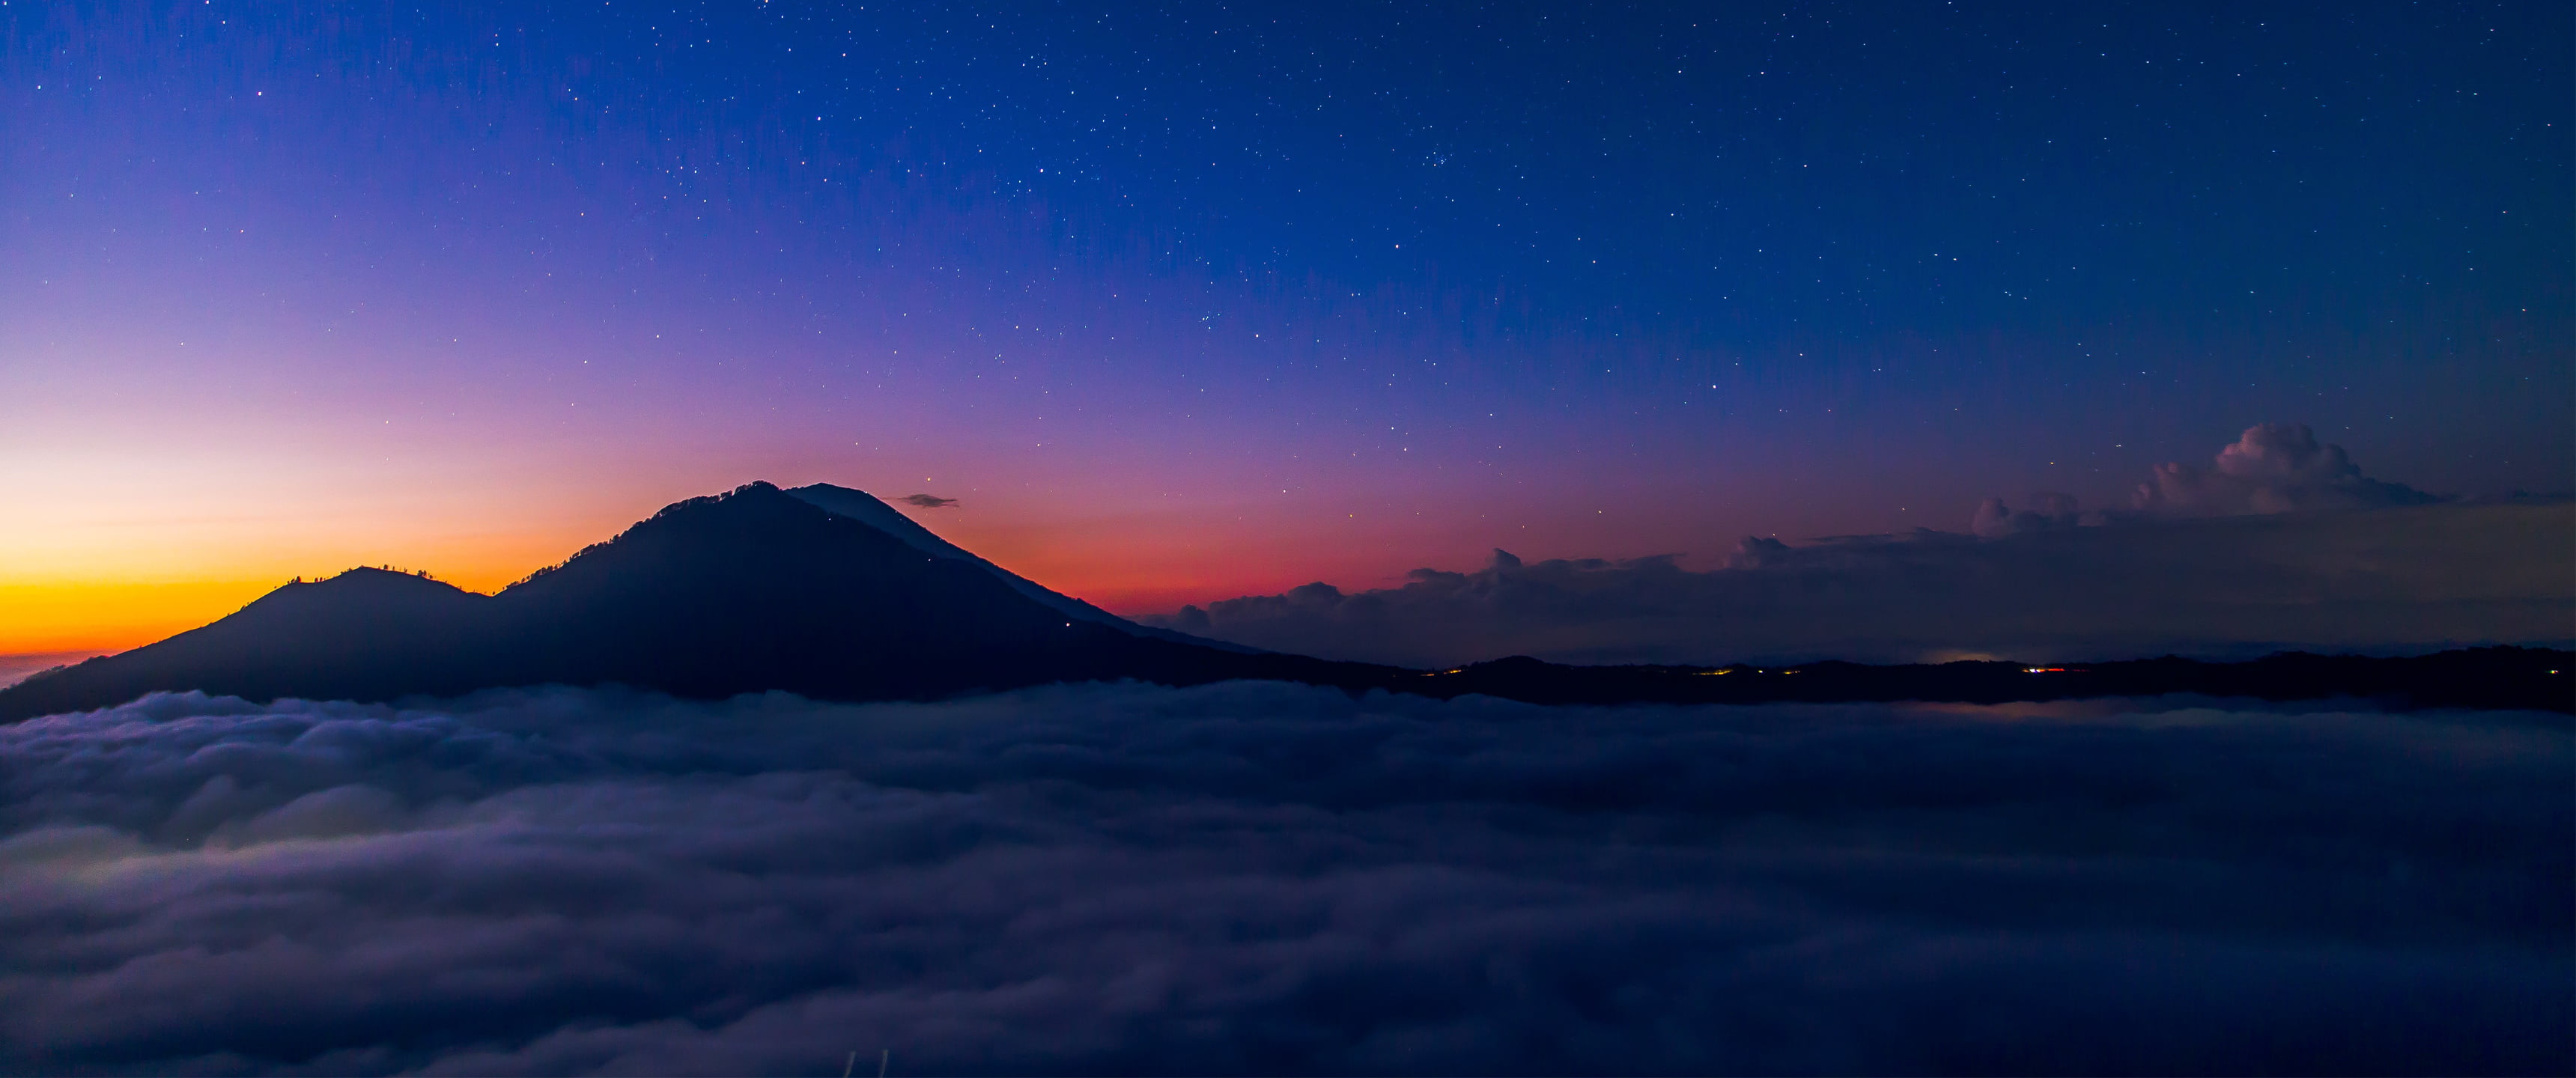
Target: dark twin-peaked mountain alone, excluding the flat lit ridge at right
[717, 596]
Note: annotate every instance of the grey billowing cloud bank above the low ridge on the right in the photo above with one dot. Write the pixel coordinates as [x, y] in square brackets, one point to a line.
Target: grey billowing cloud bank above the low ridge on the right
[2281, 544]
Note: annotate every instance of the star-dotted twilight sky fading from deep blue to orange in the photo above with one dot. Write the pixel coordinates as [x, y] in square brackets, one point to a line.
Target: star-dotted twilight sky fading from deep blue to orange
[1186, 302]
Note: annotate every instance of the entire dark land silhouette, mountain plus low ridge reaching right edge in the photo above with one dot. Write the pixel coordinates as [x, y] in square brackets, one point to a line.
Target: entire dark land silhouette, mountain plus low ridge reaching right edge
[831, 593]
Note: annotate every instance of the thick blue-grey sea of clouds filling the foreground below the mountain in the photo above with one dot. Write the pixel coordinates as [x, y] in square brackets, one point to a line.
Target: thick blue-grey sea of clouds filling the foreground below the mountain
[1269, 879]
